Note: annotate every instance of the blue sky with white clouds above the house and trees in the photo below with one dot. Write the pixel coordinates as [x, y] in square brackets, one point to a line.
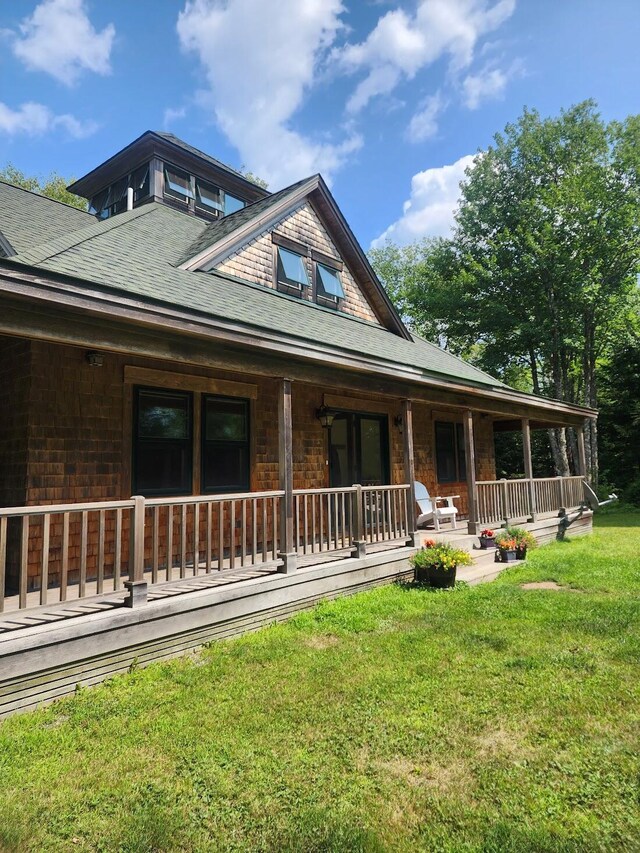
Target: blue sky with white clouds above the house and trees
[388, 100]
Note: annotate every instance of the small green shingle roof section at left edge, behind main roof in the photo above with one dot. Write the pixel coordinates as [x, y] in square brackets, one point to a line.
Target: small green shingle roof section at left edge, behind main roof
[27, 219]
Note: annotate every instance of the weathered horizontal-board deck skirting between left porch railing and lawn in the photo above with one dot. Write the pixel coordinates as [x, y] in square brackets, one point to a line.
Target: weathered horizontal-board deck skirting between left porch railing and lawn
[45, 662]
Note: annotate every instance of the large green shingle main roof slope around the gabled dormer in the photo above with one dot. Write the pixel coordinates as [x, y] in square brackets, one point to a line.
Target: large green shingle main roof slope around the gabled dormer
[138, 253]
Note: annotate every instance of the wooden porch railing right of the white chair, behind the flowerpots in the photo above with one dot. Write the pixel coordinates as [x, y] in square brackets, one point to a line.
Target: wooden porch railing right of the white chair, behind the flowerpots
[519, 500]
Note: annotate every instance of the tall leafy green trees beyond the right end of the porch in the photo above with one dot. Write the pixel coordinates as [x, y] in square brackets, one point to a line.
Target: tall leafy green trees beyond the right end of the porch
[544, 257]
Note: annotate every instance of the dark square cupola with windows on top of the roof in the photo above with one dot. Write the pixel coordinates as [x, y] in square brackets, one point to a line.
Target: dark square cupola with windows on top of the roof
[162, 168]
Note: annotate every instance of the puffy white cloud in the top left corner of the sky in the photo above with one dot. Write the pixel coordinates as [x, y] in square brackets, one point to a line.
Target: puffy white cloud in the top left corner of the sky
[59, 38]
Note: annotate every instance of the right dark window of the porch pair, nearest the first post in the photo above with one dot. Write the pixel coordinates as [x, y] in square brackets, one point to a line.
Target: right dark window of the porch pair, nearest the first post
[225, 444]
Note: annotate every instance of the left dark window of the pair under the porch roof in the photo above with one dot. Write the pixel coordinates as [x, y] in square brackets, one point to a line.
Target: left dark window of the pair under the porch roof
[163, 439]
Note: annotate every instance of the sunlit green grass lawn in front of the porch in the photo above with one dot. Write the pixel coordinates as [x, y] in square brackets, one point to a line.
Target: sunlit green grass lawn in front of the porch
[490, 718]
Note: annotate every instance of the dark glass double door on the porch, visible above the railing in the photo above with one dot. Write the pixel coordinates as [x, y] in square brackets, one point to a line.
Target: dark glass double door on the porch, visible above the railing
[358, 450]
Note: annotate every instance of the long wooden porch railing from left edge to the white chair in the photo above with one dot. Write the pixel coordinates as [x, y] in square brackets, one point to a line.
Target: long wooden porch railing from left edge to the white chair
[67, 552]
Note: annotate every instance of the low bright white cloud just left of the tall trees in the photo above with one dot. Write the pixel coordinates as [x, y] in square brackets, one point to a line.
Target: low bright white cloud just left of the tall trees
[429, 211]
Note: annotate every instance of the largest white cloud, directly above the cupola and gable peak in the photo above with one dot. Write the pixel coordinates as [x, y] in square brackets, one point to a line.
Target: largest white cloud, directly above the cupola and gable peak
[260, 61]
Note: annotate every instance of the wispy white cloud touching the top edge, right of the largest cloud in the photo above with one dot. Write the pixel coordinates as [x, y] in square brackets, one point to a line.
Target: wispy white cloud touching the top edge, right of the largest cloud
[401, 44]
